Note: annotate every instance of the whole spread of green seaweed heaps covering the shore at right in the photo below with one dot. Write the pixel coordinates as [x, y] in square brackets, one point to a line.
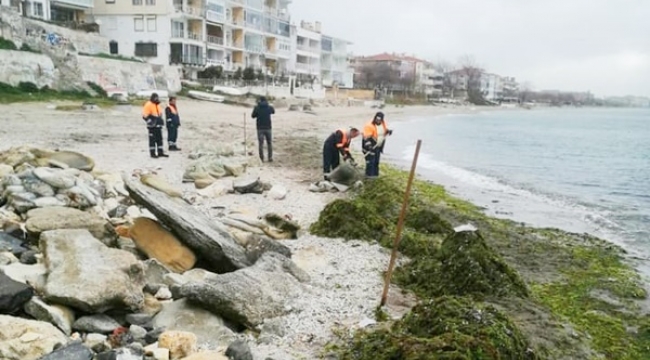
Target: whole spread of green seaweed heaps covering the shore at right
[505, 291]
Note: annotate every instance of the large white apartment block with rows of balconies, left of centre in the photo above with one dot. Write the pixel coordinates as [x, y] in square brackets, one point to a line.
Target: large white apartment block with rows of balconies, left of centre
[228, 33]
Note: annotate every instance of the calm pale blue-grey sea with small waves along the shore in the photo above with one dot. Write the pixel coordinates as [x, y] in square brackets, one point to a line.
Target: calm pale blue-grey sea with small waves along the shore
[577, 169]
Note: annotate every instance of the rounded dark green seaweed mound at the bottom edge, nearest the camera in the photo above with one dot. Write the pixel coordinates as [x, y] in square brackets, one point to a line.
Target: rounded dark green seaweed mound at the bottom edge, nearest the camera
[444, 328]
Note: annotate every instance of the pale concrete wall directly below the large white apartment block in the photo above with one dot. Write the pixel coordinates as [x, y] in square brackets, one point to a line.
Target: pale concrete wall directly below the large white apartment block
[128, 75]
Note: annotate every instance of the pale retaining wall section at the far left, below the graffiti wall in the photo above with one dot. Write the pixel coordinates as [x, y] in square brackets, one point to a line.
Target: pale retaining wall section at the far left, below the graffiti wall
[22, 66]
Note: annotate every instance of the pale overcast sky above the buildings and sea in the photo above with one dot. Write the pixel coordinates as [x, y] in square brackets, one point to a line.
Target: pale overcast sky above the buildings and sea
[602, 46]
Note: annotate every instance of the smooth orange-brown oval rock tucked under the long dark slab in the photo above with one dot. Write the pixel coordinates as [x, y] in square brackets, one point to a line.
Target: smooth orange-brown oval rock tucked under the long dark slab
[158, 243]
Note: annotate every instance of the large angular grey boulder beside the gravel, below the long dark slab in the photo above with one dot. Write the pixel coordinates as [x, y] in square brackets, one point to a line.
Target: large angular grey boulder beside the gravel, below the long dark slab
[250, 295]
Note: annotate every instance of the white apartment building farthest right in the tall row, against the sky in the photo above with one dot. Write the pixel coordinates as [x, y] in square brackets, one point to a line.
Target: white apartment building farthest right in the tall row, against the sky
[335, 64]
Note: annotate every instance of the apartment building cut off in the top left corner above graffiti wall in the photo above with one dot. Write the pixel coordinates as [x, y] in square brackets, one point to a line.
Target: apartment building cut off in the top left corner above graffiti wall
[52, 10]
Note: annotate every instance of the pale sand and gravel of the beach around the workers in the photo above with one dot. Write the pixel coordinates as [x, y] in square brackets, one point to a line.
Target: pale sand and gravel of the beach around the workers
[345, 282]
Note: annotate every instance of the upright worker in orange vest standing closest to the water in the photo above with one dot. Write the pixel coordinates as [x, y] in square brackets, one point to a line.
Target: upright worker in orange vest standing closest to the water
[374, 138]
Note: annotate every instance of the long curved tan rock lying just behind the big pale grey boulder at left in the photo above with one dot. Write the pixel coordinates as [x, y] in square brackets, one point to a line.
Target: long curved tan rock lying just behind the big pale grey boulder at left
[58, 218]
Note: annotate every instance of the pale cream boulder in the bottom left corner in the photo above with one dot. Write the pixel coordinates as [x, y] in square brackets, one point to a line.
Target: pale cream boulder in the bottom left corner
[22, 339]
